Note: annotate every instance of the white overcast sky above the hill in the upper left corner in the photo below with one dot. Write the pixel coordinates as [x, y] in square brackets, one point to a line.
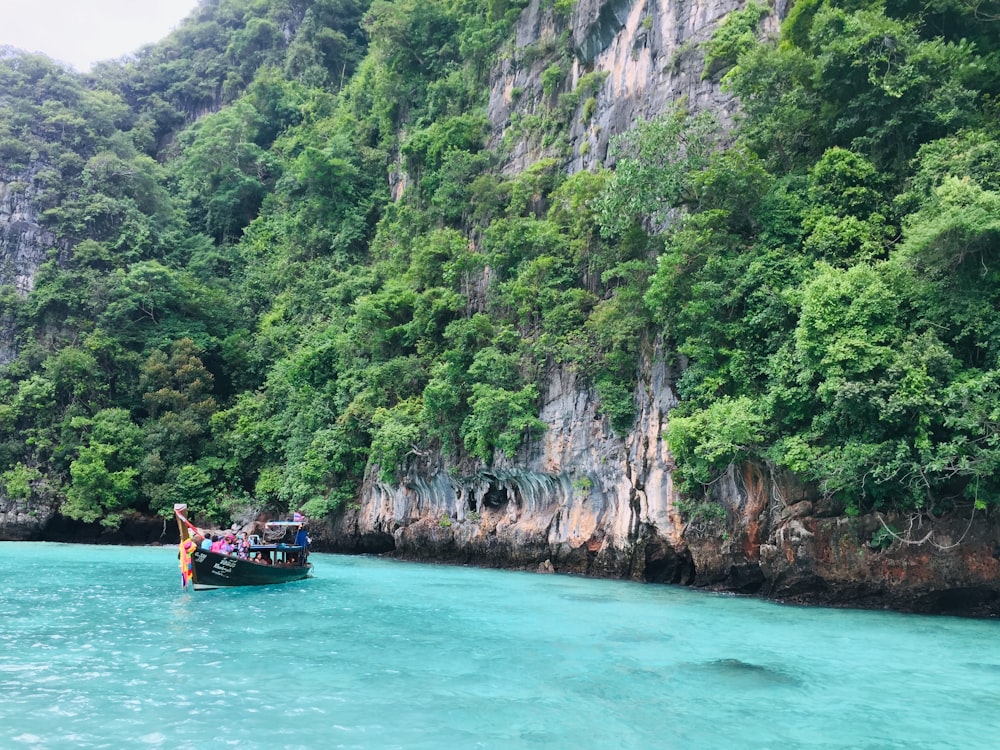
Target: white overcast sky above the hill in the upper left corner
[82, 32]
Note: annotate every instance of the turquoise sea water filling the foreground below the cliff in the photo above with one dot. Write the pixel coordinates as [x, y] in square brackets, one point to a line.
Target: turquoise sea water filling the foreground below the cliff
[100, 648]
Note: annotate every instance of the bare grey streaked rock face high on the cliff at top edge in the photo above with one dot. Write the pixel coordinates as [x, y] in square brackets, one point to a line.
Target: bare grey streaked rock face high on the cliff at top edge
[647, 49]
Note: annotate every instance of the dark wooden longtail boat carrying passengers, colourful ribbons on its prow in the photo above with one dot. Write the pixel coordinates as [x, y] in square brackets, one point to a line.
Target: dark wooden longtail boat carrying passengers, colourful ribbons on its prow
[279, 557]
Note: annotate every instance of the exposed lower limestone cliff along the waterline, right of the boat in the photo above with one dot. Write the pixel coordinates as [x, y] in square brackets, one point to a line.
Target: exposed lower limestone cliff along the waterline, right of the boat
[582, 500]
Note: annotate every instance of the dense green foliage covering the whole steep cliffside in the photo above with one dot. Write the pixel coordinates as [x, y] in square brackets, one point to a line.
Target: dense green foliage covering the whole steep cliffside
[286, 254]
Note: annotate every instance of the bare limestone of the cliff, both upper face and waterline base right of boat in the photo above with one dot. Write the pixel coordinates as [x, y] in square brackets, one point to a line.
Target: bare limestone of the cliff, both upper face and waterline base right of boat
[583, 500]
